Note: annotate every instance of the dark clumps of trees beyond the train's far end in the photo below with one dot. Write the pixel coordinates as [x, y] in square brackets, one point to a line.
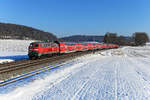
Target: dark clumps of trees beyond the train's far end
[137, 39]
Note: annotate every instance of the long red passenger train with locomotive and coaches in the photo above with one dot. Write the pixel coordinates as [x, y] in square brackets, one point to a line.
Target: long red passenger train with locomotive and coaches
[38, 49]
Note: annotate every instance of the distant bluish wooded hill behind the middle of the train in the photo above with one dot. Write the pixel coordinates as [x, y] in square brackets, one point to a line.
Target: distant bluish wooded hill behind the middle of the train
[81, 38]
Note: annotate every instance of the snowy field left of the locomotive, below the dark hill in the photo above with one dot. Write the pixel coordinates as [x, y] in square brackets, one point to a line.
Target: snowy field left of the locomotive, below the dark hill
[11, 50]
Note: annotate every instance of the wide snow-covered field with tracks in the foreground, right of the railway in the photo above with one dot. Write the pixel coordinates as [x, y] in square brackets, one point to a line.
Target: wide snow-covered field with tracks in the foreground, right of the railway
[117, 74]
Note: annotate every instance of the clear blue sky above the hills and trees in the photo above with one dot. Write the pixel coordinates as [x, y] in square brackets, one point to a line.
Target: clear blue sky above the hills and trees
[74, 17]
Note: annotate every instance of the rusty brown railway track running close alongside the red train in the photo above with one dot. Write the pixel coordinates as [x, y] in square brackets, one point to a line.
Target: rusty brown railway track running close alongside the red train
[28, 63]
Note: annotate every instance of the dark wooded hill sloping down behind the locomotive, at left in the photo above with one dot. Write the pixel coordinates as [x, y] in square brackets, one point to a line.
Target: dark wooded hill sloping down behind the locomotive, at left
[13, 31]
